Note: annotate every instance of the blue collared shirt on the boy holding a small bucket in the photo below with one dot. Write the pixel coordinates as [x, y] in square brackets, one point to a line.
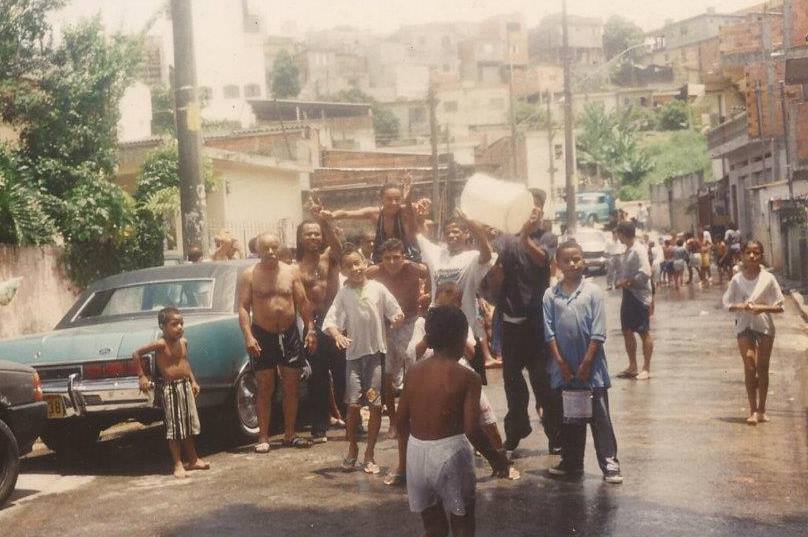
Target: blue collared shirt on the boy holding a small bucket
[573, 321]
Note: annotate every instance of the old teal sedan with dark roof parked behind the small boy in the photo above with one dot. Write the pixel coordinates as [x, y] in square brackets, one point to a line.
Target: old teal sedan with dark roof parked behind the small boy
[88, 376]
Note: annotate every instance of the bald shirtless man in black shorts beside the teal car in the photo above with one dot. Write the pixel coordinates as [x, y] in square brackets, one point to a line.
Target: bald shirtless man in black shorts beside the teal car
[273, 293]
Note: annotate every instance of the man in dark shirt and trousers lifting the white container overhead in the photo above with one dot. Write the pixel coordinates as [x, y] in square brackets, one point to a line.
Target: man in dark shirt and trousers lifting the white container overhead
[523, 274]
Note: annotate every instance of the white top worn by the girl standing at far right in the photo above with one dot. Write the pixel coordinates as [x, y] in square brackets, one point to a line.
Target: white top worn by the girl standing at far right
[762, 290]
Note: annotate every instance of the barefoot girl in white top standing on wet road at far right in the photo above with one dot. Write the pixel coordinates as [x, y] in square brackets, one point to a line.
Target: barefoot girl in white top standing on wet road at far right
[753, 295]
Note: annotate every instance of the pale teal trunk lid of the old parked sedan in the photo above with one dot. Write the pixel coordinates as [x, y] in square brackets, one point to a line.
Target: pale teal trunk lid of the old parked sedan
[85, 343]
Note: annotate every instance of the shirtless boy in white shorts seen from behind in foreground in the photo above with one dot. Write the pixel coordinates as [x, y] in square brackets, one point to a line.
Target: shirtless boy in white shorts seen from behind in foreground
[438, 415]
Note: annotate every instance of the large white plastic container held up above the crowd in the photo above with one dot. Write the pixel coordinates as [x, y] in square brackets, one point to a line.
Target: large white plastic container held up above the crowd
[503, 205]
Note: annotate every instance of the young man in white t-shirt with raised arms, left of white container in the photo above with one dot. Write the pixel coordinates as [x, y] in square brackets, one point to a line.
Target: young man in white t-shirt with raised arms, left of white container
[453, 262]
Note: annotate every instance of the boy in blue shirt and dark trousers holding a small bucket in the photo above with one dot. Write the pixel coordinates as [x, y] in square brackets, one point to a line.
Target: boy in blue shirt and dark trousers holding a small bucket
[575, 329]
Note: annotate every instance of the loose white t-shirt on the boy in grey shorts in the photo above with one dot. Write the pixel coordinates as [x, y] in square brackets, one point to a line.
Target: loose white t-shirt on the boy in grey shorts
[361, 312]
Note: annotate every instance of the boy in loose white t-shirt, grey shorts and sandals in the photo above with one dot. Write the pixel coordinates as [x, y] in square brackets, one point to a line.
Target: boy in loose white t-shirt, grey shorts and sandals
[361, 309]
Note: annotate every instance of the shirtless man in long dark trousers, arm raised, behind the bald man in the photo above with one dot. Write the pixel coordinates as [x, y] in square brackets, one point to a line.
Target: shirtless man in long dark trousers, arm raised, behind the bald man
[318, 249]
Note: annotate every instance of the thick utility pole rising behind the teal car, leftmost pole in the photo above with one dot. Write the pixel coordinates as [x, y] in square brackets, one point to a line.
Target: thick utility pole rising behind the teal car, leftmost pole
[189, 124]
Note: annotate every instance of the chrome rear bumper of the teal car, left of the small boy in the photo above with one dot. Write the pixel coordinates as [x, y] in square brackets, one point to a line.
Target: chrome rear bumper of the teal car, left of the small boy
[85, 397]
